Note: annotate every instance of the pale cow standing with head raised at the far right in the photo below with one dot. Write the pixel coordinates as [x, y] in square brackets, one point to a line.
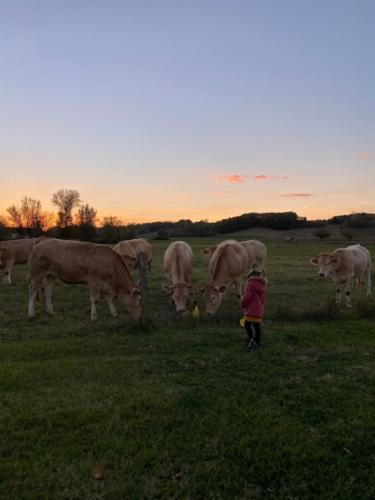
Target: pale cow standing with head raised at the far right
[344, 267]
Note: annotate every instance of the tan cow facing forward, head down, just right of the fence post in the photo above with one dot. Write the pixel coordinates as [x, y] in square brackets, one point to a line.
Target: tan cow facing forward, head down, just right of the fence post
[178, 266]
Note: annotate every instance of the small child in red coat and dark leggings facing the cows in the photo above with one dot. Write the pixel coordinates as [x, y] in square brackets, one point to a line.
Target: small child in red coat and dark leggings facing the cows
[252, 303]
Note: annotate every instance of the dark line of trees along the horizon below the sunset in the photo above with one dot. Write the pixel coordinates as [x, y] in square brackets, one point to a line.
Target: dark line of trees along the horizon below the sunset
[78, 220]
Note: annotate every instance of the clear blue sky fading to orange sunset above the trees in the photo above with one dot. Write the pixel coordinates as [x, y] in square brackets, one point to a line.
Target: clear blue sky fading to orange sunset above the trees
[200, 109]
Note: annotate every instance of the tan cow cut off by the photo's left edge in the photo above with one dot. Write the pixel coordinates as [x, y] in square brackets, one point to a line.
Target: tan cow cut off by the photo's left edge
[15, 252]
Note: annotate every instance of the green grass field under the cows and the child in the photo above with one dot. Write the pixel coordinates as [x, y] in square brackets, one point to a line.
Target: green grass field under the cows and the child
[181, 409]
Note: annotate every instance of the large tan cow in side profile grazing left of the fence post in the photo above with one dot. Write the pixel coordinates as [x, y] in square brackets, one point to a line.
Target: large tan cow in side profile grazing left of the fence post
[75, 262]
